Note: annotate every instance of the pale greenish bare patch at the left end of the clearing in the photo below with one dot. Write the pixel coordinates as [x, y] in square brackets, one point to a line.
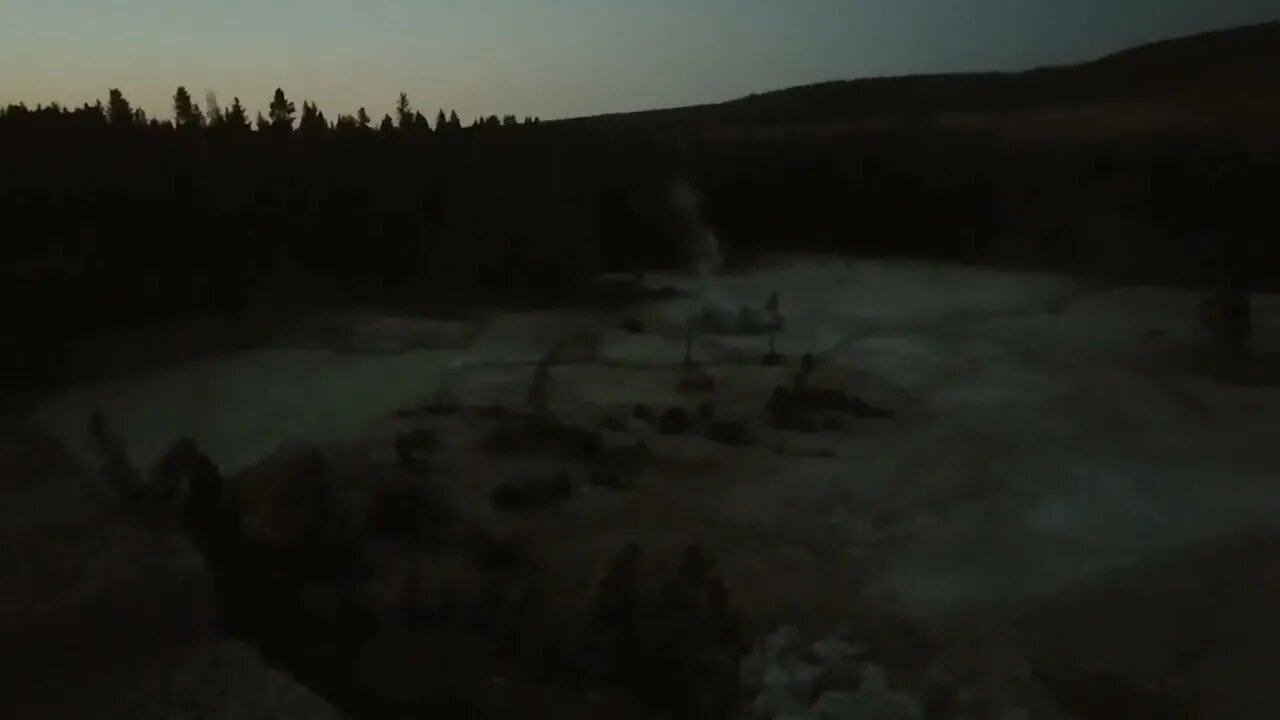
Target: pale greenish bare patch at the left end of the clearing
[243, 407]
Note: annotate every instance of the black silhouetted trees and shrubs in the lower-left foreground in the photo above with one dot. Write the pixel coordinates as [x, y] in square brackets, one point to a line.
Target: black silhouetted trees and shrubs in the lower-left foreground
[295, 571]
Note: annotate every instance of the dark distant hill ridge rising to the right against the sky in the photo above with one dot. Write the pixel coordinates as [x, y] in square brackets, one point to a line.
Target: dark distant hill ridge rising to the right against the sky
[1231, 67]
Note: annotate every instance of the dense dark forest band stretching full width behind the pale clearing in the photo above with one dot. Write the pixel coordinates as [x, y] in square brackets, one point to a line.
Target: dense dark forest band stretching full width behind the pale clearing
[115, 220]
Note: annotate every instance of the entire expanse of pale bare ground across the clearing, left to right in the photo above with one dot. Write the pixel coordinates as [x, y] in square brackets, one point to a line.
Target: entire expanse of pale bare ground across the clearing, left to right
[1048, 441]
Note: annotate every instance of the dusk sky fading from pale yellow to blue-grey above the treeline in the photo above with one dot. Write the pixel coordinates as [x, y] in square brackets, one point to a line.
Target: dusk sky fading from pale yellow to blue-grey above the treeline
[548, 58]
